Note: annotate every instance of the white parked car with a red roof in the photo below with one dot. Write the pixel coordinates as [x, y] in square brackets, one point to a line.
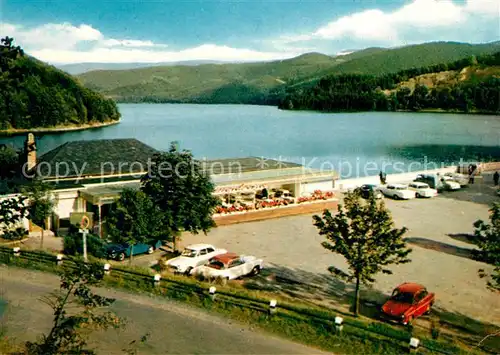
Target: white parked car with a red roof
[229, 266]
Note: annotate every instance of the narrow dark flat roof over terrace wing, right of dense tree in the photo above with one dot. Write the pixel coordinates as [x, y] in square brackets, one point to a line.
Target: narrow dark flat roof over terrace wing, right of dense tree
[243, 165]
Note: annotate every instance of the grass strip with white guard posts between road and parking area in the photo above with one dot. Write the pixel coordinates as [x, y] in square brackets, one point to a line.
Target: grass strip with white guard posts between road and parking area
[302, 322]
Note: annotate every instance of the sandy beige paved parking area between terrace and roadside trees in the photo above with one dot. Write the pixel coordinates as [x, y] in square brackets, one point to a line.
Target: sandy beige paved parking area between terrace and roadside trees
[440, 258]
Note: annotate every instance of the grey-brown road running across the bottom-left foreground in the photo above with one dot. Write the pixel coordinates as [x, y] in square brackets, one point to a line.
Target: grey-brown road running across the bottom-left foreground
[174, 328]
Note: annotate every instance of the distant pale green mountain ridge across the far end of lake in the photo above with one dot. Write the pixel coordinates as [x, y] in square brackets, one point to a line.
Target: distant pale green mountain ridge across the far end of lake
[267, 82]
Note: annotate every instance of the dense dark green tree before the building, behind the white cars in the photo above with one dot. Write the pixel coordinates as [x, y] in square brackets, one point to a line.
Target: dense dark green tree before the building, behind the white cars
[177, 184]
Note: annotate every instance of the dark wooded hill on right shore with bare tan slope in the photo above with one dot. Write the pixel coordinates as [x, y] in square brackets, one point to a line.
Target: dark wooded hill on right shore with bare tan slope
[471, 84]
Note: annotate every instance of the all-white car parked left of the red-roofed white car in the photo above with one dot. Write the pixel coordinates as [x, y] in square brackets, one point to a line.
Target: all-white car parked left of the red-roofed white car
[193, 256]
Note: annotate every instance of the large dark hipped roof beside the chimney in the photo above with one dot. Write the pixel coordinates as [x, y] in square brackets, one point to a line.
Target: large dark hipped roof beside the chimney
[96, 158]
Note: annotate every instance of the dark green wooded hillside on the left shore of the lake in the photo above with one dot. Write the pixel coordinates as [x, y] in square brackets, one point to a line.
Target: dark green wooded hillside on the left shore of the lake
[36, 95]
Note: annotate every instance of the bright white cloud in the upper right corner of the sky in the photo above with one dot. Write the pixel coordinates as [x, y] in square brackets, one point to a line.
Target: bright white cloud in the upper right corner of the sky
[417, 17]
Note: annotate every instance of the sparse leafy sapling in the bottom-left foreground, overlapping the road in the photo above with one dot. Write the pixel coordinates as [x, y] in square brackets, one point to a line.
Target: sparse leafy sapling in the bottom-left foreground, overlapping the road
[70, 328]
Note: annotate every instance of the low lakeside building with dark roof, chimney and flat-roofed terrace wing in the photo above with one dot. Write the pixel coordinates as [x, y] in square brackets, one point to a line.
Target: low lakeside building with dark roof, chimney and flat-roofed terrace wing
[88, 176]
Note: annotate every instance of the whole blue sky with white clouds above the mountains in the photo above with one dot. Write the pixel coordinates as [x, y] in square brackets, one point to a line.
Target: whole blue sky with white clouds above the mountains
[150, 31]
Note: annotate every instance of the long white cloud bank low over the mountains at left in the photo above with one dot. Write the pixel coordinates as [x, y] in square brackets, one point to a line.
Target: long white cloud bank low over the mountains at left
[61, 44]
